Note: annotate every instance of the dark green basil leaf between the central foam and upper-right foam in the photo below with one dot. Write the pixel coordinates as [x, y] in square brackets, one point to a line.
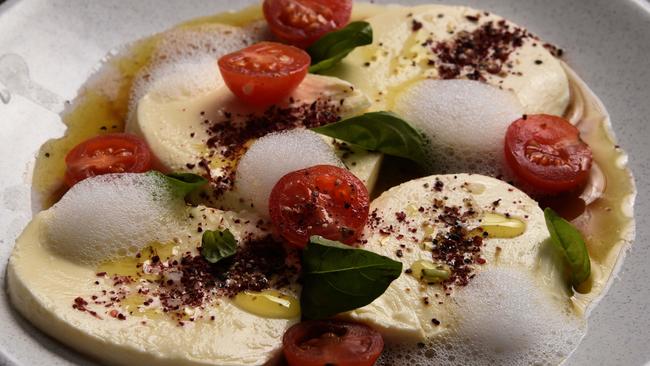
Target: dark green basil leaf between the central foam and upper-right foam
[380, 131]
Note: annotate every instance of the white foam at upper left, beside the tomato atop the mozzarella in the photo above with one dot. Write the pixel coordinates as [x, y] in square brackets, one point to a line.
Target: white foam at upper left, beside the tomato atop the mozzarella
[184, 62]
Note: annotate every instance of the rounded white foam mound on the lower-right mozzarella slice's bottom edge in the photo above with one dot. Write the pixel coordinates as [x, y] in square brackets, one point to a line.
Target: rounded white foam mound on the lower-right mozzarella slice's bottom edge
[505, 312]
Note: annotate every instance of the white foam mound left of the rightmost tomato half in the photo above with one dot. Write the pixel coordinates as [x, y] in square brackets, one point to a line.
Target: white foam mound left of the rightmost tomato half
[465, 121]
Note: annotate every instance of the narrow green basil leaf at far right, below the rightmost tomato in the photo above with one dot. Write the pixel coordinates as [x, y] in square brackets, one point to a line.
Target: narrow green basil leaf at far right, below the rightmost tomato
[569, 240]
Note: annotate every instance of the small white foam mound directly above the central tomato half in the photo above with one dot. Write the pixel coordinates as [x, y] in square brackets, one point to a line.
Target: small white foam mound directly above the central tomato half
[273, 156]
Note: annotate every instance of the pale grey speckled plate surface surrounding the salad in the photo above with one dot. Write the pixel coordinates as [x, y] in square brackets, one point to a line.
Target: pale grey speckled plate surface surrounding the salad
[48, 48]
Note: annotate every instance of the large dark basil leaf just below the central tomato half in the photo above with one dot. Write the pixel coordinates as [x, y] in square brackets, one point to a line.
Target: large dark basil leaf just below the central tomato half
[338, 278]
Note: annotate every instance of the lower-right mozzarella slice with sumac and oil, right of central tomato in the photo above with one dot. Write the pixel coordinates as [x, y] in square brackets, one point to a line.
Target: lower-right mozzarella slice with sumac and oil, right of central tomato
[406, 223]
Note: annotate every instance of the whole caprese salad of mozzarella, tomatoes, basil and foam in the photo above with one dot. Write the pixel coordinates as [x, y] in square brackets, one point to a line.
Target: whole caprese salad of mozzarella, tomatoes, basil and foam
[315, 182]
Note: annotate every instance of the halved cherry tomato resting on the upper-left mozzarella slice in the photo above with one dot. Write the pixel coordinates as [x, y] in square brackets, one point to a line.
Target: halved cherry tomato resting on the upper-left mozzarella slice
[264, 73]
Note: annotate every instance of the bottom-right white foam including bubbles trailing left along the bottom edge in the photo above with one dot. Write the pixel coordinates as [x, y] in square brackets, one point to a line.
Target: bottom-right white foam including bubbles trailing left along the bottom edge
[504, 317]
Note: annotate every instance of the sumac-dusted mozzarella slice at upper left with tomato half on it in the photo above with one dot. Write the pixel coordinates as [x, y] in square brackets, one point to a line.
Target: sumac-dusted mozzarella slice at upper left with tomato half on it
[192, 122]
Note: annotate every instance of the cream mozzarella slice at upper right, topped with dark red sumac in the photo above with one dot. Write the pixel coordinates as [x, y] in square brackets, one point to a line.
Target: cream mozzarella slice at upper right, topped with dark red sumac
[403, 51]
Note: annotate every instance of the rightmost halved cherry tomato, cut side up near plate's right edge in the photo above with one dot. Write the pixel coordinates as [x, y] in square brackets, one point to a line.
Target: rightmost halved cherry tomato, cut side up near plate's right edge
[547, 153]
